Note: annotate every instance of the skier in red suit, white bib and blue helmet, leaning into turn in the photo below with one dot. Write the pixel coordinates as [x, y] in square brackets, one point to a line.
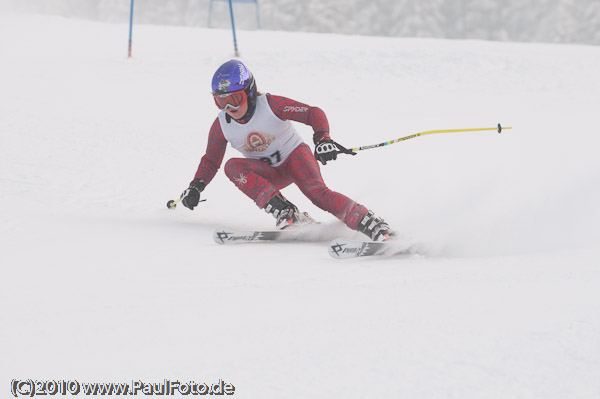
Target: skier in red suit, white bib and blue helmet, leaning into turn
[258, 125]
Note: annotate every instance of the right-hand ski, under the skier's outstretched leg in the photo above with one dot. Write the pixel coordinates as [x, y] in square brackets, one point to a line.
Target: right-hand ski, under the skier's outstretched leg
[342, 248]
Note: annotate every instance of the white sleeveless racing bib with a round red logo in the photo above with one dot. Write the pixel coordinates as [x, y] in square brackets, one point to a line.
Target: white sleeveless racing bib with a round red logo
[265, 137]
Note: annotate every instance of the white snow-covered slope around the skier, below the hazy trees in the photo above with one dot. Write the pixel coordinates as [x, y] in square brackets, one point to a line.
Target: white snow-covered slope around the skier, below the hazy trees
[101, 282]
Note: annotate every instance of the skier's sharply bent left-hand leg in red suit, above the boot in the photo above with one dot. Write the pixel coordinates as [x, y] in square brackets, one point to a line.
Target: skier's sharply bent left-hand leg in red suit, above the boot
[257, 179]
